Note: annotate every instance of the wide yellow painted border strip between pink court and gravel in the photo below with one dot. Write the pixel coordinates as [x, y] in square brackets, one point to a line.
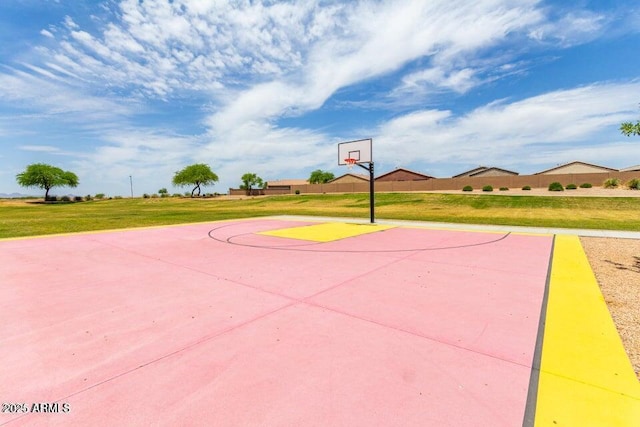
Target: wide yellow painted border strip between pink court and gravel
[586, 378]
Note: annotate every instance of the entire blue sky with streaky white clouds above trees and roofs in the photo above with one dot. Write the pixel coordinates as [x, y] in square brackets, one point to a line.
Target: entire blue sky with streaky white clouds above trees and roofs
[140, 88]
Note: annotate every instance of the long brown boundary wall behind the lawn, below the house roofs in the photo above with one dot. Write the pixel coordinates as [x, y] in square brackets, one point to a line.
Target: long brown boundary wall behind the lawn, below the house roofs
[516, 181]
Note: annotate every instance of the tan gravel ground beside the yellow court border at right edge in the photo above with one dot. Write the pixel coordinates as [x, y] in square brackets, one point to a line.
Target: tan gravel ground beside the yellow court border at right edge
[616, 264]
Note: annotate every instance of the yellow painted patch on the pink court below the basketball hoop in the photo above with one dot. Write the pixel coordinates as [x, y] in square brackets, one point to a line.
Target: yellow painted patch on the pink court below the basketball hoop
[327, 232]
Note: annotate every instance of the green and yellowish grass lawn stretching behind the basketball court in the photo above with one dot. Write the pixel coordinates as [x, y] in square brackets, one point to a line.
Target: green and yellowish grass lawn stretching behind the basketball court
[32, 218]
